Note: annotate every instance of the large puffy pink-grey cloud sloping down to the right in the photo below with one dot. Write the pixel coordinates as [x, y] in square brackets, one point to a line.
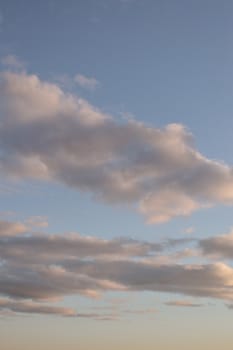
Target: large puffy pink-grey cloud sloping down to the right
[49, 135]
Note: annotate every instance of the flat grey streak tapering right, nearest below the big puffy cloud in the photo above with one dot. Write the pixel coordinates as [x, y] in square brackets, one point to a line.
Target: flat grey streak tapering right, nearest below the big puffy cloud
[52, 248]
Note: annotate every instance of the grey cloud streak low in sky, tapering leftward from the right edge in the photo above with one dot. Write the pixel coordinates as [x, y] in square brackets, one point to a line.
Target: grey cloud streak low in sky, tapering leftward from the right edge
[207, 280]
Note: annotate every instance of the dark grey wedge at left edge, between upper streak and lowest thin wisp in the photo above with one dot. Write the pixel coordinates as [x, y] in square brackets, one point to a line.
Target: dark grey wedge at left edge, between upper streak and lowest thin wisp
[49, 282]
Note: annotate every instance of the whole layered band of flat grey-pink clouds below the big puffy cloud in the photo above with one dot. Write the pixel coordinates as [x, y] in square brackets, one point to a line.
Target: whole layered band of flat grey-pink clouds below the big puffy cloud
[39, 268]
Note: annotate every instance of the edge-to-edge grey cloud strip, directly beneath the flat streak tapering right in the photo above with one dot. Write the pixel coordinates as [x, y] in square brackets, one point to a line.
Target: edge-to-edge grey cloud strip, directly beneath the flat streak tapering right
[93, 277]
